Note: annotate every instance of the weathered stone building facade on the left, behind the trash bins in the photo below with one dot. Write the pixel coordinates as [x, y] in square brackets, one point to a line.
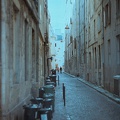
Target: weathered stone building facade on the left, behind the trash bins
[23, 54]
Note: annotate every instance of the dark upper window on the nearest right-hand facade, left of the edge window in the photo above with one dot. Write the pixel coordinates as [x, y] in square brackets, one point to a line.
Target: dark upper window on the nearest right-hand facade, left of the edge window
[107, 14]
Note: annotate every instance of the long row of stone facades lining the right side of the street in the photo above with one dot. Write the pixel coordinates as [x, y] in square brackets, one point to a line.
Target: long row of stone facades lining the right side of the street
[97, 27]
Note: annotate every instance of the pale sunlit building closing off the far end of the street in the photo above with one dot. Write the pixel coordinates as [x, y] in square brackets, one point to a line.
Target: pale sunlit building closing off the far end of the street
[57, 49]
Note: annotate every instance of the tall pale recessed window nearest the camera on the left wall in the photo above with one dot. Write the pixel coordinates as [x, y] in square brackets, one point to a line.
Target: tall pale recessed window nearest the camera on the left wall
[16, 48]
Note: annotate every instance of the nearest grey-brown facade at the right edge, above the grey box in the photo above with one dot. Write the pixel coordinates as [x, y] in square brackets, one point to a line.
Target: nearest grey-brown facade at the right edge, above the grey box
[111, 39]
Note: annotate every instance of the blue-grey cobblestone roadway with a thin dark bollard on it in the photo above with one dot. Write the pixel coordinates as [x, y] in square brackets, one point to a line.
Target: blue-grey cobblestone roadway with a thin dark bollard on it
[82, 102]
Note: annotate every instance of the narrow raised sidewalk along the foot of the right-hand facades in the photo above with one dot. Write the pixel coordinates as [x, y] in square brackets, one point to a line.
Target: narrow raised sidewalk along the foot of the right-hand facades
[99, 89]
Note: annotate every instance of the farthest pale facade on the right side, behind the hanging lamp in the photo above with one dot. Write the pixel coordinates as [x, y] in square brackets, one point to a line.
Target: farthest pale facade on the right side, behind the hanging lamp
[71, 42]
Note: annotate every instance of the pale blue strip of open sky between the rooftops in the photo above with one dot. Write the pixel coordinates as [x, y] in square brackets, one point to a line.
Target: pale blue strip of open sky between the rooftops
[59, 14]
